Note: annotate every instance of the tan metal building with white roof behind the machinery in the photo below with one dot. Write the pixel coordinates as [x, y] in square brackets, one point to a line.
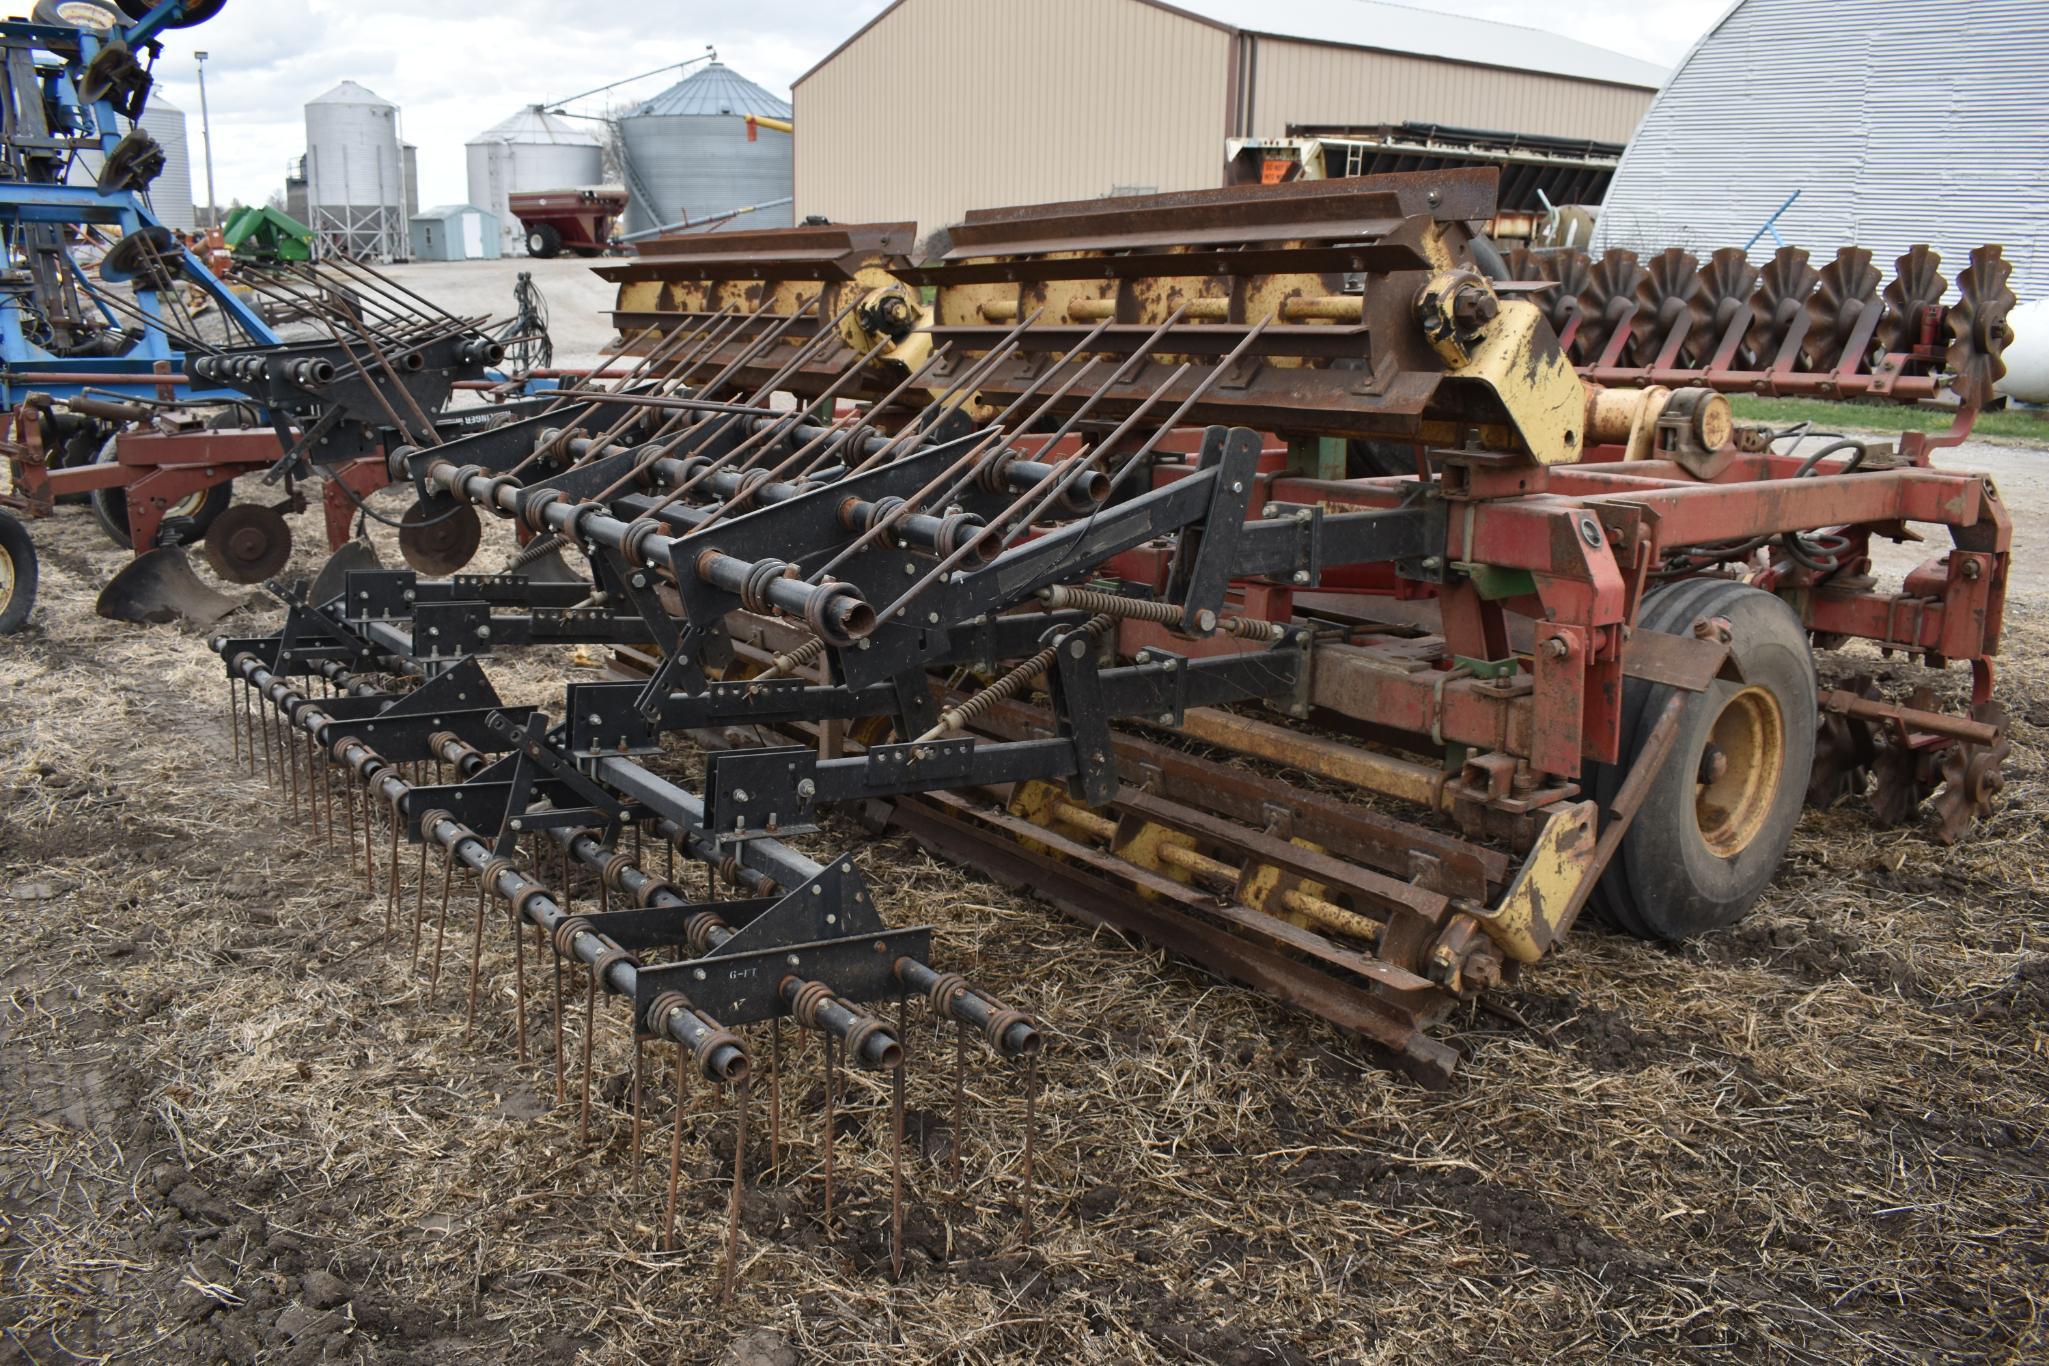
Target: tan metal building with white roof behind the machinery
[946, 105]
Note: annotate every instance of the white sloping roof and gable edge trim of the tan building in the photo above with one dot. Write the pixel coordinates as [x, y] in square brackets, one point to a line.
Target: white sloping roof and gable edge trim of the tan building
[1394, 28]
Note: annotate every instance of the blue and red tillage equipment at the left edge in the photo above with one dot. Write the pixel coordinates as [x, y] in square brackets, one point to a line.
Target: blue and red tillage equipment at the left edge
[149, 386]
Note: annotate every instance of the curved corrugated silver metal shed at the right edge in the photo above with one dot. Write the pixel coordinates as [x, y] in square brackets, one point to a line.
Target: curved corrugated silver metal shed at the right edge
[1896, 126]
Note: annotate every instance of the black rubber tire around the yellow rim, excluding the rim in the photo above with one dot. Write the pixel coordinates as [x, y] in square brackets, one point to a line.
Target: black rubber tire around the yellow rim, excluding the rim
[1665, 882]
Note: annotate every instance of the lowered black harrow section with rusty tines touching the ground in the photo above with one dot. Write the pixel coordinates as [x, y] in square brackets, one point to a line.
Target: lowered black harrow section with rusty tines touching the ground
[308, 716]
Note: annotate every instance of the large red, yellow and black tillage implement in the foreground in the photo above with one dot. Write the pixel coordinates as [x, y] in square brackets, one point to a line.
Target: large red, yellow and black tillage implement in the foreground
[1276, 574]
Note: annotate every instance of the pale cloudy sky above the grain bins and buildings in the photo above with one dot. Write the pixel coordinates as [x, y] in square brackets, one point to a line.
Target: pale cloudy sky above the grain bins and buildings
[460, 67]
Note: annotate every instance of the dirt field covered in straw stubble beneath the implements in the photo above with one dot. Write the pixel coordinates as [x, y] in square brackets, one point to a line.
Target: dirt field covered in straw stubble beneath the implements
[239, 1127]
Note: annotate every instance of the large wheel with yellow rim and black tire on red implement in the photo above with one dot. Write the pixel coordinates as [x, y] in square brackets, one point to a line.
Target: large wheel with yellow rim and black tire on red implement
[1702, 853]
